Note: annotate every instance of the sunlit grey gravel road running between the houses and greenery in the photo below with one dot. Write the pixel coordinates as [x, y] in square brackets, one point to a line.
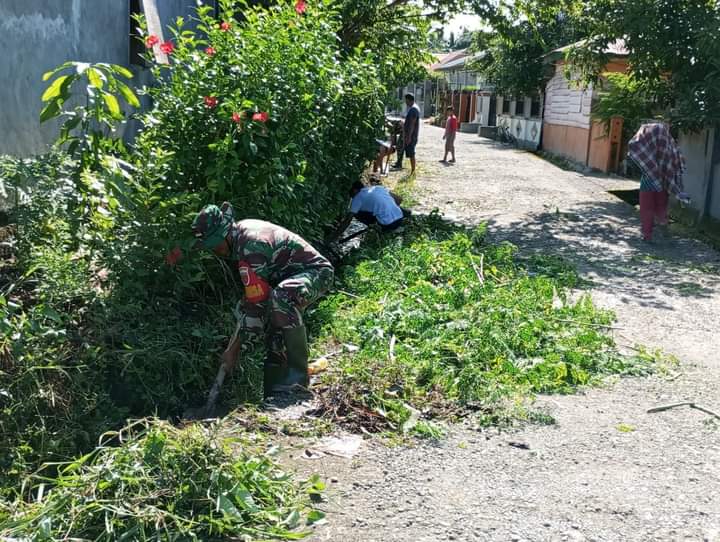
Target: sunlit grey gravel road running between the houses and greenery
[606, 470]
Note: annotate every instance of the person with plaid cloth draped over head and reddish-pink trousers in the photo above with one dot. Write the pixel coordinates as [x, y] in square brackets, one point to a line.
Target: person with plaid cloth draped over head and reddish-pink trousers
[662, 166]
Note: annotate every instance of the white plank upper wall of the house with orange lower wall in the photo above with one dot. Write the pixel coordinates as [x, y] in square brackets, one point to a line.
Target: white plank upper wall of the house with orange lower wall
[566, 105]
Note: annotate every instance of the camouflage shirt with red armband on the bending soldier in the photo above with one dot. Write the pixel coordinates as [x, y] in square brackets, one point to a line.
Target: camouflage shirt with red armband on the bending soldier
[267, 254]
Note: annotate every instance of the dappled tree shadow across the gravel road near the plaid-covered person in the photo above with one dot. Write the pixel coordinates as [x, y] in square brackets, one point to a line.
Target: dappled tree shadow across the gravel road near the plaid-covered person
[602, 239]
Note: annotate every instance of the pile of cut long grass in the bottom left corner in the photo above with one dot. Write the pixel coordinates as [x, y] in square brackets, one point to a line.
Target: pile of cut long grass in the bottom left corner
[158, 482]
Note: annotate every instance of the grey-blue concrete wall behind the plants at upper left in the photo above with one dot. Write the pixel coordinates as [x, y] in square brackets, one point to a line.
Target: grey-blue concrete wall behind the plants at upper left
[36, 36]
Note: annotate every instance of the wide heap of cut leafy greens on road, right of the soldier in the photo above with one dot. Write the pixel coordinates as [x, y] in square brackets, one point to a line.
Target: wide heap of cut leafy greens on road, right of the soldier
[445, 321]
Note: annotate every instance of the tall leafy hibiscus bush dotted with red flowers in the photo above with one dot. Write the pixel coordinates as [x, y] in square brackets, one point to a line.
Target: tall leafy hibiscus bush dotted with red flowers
[264, 113]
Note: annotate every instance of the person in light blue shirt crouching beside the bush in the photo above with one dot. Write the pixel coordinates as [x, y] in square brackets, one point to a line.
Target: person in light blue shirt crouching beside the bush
[376, 205]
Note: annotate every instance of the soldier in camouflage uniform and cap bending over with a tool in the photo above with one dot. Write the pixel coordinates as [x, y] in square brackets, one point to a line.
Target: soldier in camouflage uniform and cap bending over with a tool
[282, 274]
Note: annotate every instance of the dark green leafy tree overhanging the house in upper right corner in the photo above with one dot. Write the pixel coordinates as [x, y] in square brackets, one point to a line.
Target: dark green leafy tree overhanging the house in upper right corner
[674, 53]
